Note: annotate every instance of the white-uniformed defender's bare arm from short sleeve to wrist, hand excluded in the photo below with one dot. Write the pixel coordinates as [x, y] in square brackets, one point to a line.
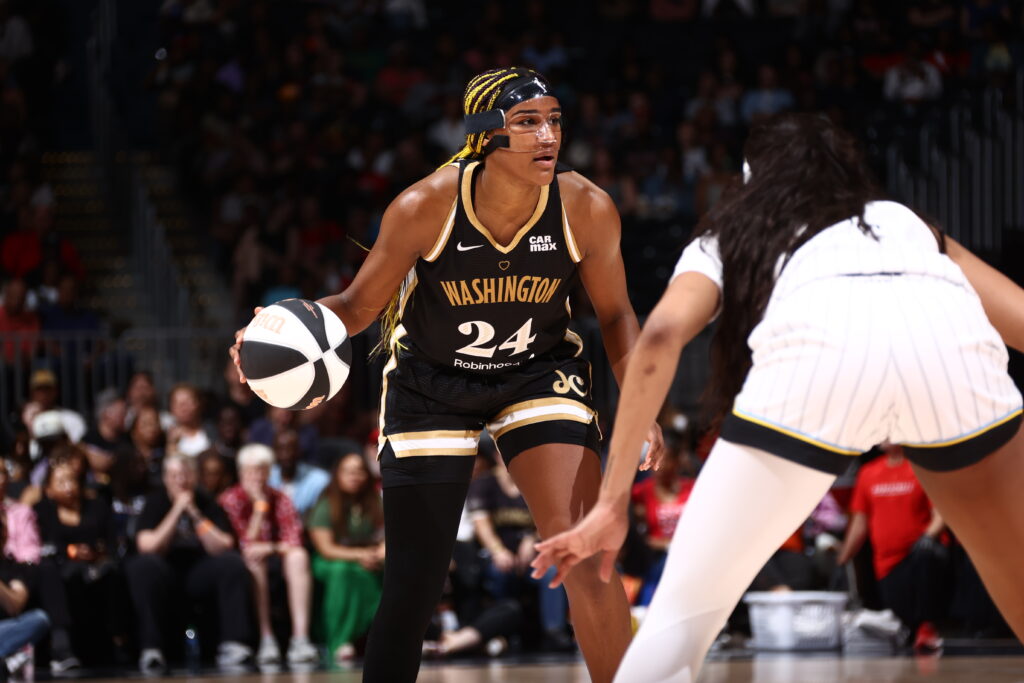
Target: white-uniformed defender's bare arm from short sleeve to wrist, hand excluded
[687, 308]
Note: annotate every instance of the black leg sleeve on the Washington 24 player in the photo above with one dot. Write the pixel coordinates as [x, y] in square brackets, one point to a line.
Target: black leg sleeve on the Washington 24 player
[420, 526]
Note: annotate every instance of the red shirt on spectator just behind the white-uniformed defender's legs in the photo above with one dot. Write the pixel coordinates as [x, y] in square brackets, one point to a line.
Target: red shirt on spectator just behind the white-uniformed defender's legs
[898, 510]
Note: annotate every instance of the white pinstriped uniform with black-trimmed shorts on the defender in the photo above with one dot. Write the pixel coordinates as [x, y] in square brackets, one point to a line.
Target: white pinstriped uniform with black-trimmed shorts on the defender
[890, 345]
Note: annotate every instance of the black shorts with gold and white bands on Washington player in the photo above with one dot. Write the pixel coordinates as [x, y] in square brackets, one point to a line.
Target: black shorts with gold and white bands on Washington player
[433, 415]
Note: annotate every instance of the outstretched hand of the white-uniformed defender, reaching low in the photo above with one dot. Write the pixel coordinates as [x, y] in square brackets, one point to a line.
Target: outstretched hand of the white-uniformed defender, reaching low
[603, 531]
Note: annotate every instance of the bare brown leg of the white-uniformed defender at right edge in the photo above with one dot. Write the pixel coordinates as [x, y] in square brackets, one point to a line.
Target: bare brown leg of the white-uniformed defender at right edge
[983, 504]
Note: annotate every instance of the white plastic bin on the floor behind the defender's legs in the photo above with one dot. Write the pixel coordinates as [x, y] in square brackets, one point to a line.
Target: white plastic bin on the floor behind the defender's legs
[796, 621]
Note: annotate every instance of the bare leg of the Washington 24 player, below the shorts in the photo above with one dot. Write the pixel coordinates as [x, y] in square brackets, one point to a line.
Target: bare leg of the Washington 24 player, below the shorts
[561, 484]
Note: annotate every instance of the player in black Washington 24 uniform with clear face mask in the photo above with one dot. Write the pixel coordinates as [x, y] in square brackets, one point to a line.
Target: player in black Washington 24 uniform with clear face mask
[482, 257]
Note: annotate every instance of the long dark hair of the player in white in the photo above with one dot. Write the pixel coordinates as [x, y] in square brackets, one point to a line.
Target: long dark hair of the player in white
[805, 172]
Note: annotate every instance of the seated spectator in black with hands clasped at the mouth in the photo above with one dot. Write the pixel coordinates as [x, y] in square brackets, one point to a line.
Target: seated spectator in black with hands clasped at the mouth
[187, 551]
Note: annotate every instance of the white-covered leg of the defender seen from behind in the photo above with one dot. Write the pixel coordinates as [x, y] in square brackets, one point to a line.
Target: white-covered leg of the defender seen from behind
[745, 504]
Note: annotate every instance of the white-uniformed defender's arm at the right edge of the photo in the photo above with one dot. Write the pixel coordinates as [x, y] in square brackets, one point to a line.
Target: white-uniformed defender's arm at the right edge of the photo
[1002, 297]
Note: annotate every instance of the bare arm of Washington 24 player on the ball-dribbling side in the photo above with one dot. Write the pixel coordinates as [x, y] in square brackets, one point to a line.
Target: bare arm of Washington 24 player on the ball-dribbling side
[409, 230]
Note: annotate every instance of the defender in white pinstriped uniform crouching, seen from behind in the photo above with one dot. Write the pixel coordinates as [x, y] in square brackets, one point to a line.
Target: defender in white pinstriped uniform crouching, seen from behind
[845, 321]
